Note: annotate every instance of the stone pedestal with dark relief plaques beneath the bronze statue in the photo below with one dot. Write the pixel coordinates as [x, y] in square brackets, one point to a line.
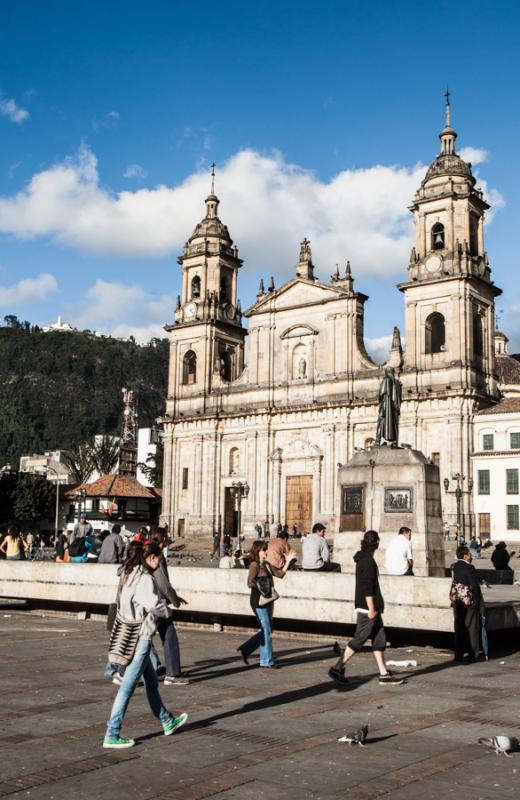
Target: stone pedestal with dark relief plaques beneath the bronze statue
[382, 489]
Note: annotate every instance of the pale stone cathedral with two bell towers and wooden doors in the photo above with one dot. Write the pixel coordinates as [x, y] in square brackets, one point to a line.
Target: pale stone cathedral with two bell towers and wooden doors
[306, 397]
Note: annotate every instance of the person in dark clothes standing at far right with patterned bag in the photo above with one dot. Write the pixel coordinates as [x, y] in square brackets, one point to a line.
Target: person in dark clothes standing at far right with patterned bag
[467, 617]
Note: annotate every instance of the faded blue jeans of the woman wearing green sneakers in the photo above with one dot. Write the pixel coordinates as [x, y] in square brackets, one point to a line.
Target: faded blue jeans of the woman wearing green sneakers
[139, 666]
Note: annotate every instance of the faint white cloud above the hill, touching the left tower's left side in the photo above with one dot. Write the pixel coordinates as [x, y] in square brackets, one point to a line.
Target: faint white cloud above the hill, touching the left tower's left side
[109, 305]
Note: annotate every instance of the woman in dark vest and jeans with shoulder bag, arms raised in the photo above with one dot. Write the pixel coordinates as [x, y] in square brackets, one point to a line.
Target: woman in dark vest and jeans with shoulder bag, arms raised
[260, 576]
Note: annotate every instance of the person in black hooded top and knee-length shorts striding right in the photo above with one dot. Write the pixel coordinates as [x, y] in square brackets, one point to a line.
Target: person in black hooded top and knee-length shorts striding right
[369, 607]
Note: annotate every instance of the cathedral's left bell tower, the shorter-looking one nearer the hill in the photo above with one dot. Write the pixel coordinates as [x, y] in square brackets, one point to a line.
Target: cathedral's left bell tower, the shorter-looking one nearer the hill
[207, 337]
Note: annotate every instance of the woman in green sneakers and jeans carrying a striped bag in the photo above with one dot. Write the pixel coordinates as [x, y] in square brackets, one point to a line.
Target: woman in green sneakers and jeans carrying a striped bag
[139, 605]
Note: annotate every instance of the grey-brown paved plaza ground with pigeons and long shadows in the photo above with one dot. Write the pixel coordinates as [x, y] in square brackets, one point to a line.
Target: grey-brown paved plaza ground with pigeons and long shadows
[251, 732]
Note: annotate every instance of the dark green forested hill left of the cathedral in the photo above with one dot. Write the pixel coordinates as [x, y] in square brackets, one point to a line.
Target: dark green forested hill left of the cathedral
[58, 389]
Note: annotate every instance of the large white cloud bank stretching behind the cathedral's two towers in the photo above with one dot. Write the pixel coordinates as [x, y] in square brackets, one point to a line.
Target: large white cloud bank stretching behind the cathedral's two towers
[268, 204]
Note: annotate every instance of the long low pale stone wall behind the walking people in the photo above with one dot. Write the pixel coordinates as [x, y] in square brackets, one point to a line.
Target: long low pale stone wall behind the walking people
[411, 603]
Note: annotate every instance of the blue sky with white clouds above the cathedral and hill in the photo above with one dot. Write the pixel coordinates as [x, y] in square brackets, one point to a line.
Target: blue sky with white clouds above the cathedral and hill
[321, 118]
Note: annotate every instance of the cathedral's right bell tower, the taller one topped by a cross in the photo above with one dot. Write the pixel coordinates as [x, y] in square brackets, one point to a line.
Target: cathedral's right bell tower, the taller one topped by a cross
[449, 295]
